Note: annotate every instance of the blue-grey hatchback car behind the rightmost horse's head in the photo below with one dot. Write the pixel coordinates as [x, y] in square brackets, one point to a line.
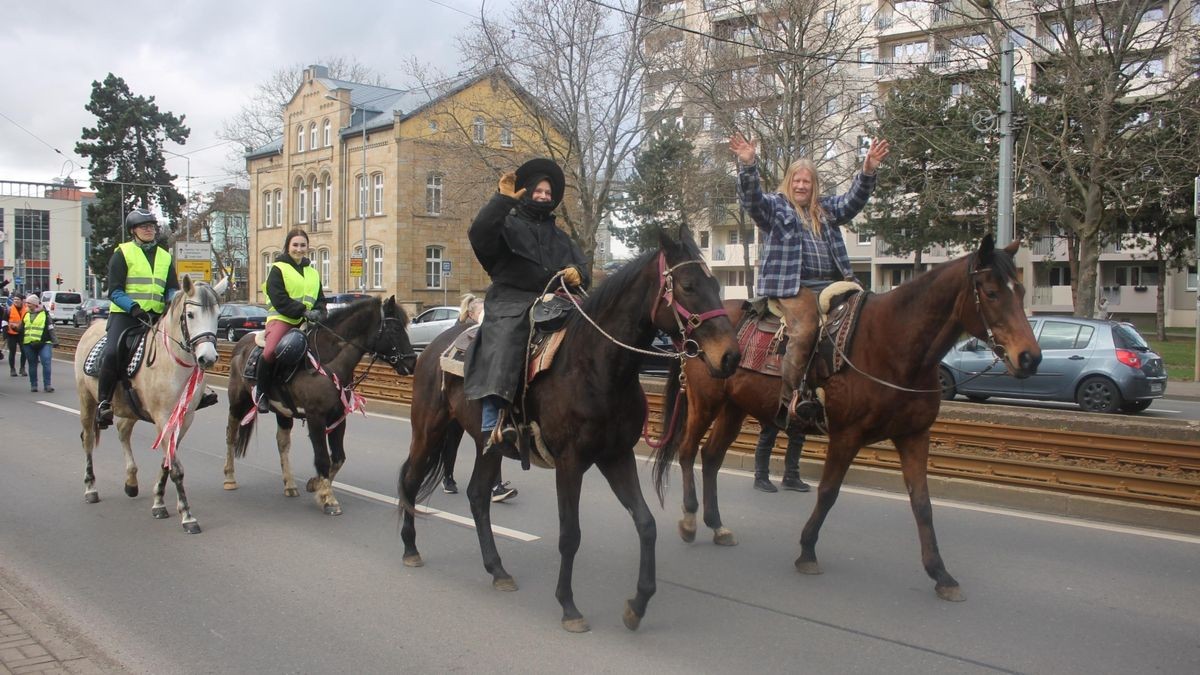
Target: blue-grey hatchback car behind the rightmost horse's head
[1102, 366]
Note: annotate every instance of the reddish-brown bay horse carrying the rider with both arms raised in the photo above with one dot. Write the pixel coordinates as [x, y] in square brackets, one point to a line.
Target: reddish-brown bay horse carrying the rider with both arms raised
[890, 392]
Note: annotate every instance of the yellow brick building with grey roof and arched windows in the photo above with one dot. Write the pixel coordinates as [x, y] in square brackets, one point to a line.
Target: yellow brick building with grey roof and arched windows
[404, 170]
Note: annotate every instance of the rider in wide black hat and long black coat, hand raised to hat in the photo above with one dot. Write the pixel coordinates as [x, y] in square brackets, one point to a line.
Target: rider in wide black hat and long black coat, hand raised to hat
[518, 243]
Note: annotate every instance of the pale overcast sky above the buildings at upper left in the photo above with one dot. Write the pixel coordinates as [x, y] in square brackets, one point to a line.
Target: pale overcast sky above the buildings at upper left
[200, 59]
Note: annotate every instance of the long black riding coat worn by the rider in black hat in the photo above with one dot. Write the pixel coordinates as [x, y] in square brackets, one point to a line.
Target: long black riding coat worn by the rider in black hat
[521, 254]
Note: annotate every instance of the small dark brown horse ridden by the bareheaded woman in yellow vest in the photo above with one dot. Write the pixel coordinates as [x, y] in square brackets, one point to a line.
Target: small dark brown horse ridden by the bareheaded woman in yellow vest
[321, 392]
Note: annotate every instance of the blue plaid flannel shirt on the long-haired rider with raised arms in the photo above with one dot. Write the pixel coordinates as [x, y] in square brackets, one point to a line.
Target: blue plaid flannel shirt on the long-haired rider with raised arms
[791, 253]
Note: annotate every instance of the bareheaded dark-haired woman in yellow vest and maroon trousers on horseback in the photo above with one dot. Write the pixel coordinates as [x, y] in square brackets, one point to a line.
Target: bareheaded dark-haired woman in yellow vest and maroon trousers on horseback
[293, 292]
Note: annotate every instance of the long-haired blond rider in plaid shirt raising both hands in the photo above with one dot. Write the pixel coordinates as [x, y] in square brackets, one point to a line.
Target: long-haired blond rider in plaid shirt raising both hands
[803, 252]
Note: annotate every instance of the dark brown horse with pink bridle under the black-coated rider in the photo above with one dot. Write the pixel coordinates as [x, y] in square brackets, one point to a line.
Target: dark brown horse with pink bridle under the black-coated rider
[590, 407]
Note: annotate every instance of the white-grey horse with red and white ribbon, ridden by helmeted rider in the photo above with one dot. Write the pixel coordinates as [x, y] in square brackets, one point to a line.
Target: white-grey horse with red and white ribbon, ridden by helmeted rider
[179, 350]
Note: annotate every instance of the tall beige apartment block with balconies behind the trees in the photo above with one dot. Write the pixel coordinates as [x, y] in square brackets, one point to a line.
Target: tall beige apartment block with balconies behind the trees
[859, 49]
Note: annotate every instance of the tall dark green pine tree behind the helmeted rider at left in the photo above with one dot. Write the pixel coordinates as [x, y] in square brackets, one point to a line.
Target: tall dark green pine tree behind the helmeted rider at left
[125, 148]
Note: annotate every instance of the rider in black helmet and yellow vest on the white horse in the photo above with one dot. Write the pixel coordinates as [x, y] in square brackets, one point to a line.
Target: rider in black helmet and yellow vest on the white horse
[141, 285]
